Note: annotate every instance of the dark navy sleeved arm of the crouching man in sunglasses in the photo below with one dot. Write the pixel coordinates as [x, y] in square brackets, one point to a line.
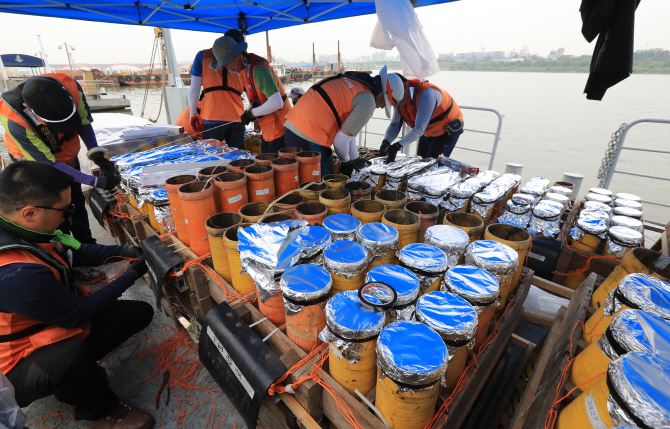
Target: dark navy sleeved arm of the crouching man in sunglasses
[32, 291]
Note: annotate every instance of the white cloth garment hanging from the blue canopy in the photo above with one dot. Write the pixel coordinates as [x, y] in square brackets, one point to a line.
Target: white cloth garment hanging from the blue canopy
[398, 26]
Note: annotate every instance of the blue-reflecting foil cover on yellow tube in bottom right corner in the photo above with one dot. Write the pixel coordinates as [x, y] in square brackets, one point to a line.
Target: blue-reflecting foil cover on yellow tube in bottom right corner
[642, 382]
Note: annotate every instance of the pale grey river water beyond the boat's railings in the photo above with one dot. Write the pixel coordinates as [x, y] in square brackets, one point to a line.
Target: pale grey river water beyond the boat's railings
[548, 126]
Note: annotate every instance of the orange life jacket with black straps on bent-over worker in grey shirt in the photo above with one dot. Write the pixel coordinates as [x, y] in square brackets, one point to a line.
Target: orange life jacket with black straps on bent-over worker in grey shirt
[327, 104]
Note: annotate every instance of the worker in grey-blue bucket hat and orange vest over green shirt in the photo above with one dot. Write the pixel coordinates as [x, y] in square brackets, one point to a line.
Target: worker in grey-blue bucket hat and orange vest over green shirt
[269, 103]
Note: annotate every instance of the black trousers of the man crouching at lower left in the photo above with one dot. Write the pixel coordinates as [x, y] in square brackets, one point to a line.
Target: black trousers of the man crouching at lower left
[68, 369]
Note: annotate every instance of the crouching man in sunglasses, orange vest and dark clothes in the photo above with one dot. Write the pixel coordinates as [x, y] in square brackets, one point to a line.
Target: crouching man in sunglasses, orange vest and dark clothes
[52, 333]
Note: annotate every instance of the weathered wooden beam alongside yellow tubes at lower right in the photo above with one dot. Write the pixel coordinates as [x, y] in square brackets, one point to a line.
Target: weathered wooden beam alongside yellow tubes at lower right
[540, 392]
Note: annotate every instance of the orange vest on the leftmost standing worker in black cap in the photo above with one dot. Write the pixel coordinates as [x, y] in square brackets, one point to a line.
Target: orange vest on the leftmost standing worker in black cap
[64, 147]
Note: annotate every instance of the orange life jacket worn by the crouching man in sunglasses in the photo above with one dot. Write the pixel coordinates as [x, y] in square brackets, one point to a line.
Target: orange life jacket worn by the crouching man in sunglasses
[19, 335]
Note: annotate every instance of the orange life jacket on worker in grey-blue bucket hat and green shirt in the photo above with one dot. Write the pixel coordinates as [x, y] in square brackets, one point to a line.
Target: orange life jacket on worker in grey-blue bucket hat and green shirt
[272, 125]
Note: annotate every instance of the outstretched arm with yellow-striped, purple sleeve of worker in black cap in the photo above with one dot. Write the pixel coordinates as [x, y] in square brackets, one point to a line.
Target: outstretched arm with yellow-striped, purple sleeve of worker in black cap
[34, 149]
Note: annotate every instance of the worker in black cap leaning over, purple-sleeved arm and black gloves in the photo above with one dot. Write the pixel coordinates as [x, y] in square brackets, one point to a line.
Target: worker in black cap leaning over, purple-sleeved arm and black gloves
[43, 119]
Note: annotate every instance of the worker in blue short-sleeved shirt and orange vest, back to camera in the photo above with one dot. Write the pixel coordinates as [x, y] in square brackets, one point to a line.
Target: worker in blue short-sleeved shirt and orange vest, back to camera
[221, 98]
